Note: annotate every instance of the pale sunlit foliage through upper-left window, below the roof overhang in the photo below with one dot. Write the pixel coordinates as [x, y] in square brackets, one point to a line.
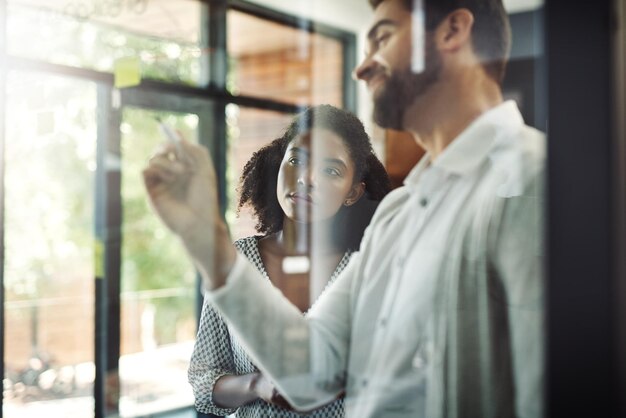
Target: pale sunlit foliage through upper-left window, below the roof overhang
[55, 37]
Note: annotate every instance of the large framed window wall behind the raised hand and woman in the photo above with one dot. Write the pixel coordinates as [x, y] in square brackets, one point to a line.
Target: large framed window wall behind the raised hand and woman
[100, 301]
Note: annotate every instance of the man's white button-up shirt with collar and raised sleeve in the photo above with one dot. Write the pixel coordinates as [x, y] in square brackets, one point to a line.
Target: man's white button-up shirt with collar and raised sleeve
[440, 313]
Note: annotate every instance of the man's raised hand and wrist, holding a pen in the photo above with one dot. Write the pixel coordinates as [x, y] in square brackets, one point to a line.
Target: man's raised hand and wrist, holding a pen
[182, 189]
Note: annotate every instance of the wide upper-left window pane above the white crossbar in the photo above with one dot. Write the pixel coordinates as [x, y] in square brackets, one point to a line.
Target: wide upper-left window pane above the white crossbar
[163, 35]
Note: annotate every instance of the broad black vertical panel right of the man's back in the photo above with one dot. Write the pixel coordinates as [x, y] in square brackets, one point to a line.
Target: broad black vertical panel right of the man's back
[582, 358]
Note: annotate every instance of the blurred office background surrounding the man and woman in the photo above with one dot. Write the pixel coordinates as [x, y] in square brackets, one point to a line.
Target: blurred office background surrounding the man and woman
[100, 304]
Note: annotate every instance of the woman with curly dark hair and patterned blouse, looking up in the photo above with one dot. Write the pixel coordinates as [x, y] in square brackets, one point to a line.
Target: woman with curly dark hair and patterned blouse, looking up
[313, 192]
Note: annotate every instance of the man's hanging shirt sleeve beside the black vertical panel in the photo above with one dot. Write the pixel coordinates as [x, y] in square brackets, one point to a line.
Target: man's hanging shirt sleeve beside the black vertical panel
[519, 260]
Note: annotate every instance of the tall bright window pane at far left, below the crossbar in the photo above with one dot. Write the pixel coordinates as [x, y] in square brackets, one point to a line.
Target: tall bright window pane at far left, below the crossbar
[49, 263]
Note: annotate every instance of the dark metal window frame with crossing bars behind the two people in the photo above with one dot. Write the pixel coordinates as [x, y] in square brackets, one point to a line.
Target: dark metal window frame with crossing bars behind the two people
[208, 100]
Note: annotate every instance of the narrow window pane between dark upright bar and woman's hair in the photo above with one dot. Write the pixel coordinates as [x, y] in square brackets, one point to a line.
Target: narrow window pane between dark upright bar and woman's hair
[248, 130]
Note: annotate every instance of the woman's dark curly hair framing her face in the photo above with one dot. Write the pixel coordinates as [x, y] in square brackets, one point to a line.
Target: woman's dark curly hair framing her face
[260, 175]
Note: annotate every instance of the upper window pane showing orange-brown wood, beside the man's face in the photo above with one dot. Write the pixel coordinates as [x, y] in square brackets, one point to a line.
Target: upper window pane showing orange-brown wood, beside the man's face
[290, 65]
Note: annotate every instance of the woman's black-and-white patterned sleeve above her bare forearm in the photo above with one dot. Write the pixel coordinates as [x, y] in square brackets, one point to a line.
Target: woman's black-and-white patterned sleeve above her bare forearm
[212, 358]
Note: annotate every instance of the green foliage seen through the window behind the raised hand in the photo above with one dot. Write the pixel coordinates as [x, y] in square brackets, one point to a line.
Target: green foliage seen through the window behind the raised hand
[152, 257]
